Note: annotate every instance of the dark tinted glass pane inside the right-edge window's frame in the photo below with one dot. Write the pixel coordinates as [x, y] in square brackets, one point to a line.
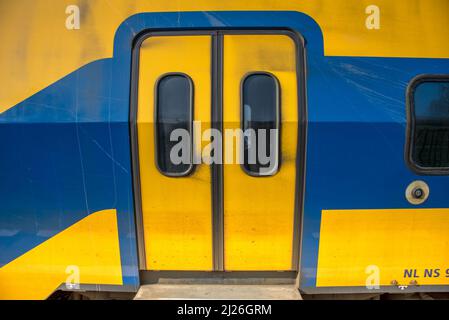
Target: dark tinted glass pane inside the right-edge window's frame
[431, 124]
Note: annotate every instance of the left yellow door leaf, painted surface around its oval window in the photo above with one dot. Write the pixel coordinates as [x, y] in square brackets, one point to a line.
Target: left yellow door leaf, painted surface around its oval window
[177, 214]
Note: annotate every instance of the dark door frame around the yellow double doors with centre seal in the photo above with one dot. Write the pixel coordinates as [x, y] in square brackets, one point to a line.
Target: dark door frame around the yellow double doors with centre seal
[217, 123]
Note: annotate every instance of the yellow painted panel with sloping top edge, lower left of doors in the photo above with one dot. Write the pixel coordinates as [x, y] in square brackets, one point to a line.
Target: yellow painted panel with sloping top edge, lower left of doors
[91, 245]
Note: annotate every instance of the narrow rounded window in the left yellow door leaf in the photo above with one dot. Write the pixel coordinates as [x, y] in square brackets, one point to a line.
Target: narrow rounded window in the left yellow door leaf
[174, 116]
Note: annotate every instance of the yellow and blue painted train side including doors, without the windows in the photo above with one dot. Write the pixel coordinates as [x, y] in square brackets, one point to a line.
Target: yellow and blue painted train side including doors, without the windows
[81, 196]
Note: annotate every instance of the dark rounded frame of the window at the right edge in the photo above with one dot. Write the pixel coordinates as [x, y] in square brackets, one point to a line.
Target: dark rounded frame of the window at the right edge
[411, 124]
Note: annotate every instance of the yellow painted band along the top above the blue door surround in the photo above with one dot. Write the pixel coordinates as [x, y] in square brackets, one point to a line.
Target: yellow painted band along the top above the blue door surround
[46, 50]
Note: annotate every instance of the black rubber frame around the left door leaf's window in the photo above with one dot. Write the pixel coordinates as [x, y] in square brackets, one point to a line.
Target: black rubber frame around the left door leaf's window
[191, 168]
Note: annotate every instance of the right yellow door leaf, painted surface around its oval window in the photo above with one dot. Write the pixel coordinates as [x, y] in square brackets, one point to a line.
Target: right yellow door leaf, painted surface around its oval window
[259, 211]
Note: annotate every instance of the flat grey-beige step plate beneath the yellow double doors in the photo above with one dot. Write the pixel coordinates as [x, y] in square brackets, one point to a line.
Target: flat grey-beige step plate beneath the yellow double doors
[217, 292]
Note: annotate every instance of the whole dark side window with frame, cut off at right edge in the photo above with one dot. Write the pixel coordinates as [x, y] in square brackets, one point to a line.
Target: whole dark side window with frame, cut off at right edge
[428, 125]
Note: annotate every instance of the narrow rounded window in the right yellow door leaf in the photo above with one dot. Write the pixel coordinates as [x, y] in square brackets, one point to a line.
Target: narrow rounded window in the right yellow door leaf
[260, 124]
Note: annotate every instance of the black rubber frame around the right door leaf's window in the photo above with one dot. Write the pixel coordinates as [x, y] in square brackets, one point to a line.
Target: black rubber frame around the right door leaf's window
[277, 120]
